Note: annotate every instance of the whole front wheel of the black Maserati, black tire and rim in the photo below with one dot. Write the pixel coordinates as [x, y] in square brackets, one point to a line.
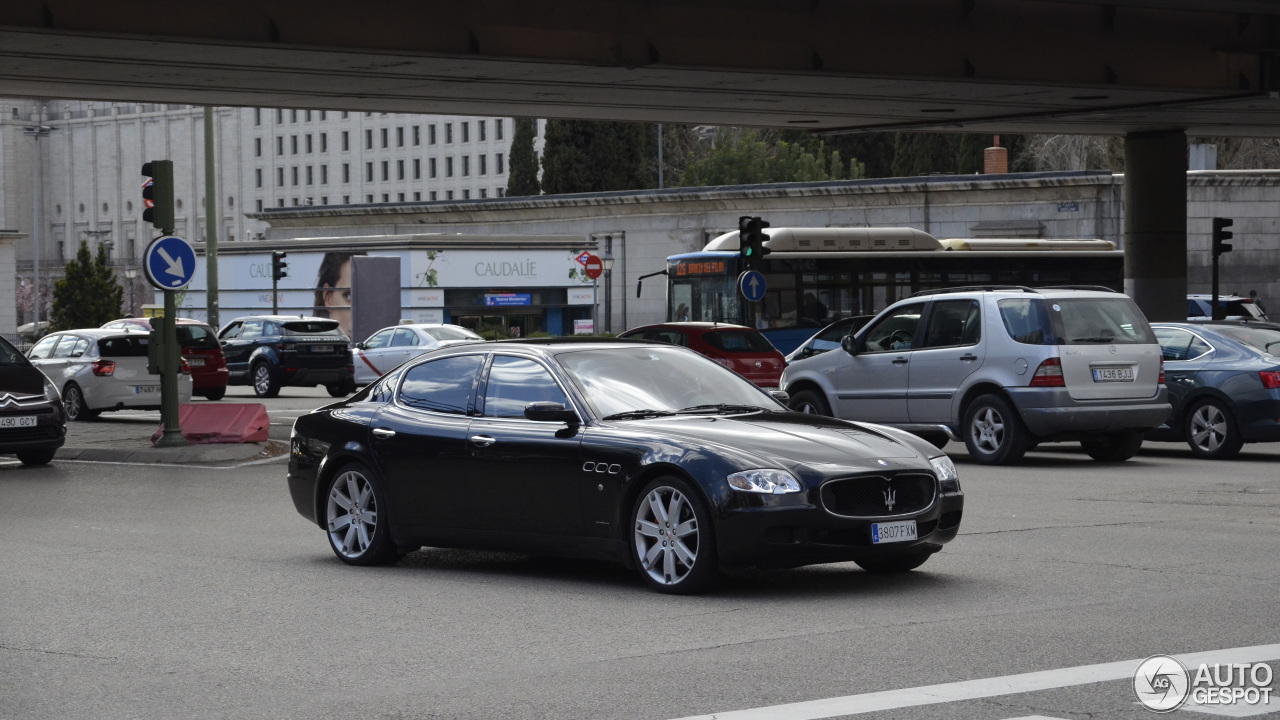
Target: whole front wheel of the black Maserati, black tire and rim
[675, 569]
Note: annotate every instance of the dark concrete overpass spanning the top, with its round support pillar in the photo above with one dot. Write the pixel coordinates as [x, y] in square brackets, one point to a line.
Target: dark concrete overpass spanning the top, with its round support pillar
[1150, 70]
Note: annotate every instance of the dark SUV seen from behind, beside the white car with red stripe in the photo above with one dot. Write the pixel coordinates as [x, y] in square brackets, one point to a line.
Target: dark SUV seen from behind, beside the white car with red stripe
[272, 352]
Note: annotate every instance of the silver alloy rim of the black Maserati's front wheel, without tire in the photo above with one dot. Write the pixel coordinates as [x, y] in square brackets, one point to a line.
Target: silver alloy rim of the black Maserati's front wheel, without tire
[666, 536]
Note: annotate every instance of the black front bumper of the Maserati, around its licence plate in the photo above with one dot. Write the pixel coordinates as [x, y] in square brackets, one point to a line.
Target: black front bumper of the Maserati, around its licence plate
[794, 531]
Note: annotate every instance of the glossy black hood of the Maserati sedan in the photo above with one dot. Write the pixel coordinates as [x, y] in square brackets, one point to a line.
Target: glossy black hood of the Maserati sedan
[790, 439]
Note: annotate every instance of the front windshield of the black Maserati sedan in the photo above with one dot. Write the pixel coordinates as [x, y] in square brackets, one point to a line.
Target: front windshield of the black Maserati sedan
[659, 380]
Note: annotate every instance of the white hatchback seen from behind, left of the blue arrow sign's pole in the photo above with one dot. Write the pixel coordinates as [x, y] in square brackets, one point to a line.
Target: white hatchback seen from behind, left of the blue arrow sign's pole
[100, 371]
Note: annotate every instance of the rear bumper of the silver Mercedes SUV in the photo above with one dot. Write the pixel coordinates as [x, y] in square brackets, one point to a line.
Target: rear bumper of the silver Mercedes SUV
[1053, 412]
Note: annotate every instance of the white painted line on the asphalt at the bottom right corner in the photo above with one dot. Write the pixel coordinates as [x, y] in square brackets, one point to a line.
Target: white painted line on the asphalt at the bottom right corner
[986, 687]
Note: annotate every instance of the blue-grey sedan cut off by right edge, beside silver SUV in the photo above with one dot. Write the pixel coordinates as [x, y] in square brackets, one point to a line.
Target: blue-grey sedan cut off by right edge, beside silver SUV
[1224, 384]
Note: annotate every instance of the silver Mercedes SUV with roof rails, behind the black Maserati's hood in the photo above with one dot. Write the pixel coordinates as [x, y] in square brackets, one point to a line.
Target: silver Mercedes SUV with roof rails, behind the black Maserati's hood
[1002, 370]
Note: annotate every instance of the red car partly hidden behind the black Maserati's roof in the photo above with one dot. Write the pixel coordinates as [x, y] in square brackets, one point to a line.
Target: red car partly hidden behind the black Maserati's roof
[743, 350]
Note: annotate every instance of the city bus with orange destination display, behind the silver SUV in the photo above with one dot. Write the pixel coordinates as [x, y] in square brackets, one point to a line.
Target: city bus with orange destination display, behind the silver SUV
[819, 276]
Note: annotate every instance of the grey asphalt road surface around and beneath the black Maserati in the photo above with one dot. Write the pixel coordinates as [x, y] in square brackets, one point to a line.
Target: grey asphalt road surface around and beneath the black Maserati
[199, 593]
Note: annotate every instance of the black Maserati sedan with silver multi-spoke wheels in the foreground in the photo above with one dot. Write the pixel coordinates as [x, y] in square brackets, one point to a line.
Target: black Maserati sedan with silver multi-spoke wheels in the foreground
[638, 453]
